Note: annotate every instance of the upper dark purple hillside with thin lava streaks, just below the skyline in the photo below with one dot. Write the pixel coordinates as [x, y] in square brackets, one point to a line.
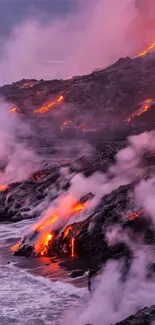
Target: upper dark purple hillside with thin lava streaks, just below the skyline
[109, 104]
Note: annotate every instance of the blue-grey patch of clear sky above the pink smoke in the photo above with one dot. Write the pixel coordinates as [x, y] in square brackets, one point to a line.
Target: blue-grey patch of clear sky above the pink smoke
[13, 12]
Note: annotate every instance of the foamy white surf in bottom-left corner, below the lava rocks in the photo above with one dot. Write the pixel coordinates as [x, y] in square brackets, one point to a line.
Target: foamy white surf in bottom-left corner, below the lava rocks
[30, 299]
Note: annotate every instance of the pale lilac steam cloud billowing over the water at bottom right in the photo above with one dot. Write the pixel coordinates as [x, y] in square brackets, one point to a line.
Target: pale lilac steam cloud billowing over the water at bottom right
[114, 299]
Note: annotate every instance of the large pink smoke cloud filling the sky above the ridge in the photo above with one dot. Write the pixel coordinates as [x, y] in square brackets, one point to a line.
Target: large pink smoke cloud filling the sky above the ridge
[92, 37]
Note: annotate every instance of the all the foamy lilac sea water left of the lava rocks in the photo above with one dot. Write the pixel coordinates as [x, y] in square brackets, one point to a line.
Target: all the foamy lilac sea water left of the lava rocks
[29, 299]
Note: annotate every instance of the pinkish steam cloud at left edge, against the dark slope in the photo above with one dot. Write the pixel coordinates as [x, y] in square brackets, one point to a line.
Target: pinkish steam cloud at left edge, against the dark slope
[17, 160]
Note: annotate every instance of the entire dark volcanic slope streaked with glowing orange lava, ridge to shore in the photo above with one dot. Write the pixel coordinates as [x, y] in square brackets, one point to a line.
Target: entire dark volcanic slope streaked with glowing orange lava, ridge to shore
[78, 127]
